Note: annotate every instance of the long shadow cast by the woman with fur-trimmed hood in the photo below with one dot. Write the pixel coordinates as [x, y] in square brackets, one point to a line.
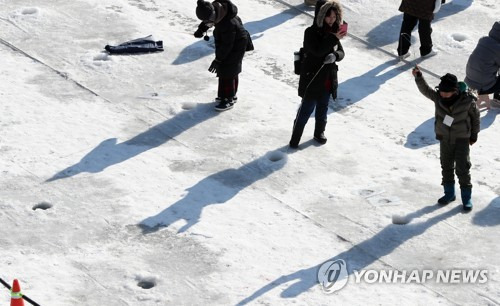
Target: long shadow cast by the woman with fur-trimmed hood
[217, 188]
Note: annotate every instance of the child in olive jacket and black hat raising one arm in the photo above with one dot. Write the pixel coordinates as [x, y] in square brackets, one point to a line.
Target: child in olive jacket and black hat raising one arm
[457, 126]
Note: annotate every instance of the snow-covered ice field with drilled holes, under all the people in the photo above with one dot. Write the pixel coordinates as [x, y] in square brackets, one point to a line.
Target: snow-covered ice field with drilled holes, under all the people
[120, 184]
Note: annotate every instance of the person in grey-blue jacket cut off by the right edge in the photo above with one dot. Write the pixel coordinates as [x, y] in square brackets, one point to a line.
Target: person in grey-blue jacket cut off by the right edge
[483, 67]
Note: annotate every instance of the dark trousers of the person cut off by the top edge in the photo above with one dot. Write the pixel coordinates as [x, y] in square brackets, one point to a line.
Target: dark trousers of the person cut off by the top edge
[424, 32]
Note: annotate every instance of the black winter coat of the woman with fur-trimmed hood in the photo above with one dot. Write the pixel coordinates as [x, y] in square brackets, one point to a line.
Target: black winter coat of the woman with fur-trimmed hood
[317, 45]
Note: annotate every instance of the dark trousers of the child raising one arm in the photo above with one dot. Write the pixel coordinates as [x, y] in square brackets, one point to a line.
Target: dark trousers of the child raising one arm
[455, 158]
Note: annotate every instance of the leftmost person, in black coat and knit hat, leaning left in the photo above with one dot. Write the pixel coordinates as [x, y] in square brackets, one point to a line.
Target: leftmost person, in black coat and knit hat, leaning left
[231, 42]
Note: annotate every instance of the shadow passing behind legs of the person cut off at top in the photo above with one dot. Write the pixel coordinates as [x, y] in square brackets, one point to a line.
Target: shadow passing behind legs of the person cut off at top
[387, 32]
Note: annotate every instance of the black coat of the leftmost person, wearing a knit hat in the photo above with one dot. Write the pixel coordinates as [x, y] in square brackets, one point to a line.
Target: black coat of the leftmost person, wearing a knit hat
[231, 41]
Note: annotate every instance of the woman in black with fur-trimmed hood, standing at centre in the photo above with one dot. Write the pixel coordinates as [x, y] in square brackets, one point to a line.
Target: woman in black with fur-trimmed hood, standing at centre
[318, 73]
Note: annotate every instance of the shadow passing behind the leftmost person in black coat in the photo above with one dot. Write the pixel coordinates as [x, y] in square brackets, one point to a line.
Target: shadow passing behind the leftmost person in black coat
[202, 48]
